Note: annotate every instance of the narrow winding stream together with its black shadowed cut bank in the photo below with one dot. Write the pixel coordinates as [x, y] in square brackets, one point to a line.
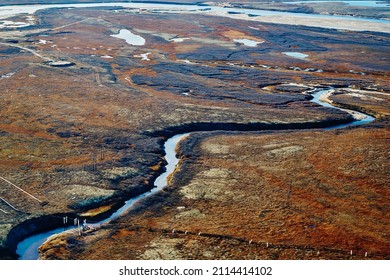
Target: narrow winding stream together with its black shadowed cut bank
[45, 223]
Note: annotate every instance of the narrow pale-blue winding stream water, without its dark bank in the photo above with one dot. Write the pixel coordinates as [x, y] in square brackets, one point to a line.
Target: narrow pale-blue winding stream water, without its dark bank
[28, 248]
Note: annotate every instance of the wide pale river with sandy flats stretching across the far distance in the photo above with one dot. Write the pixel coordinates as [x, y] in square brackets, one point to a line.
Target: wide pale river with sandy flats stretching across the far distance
[326, 21]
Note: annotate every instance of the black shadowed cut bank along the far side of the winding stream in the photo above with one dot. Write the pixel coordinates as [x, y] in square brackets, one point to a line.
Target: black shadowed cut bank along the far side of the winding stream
[48, 223]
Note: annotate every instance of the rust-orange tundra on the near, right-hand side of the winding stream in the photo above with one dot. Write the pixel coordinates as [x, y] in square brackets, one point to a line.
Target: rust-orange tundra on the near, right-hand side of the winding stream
[214, 210]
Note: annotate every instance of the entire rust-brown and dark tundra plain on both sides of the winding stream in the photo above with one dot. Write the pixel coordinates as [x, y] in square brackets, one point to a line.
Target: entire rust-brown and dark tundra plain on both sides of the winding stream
[88, 136]
